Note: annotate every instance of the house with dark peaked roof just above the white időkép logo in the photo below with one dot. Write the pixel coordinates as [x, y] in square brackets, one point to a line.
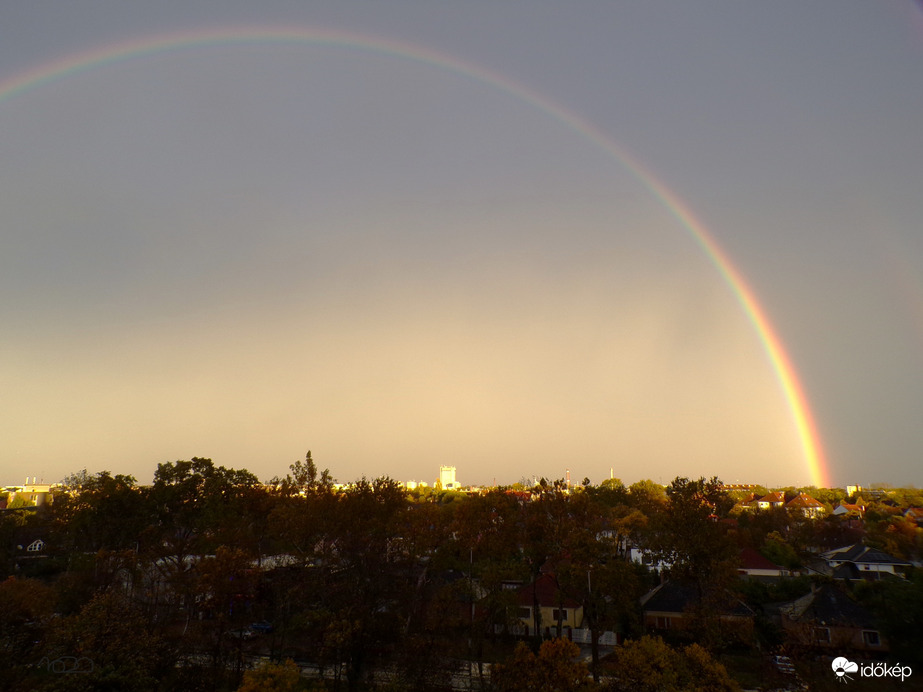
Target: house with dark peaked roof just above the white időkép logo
[829, 620]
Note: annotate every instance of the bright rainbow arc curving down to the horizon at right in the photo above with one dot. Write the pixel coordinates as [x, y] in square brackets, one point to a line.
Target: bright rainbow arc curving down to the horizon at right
[137, 48]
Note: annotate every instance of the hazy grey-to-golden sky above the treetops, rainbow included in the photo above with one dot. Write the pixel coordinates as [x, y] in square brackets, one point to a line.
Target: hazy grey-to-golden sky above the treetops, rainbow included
[645, 240]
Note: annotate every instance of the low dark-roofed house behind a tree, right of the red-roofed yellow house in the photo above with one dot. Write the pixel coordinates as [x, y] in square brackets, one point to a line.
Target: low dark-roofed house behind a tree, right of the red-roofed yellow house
[673, 606]
